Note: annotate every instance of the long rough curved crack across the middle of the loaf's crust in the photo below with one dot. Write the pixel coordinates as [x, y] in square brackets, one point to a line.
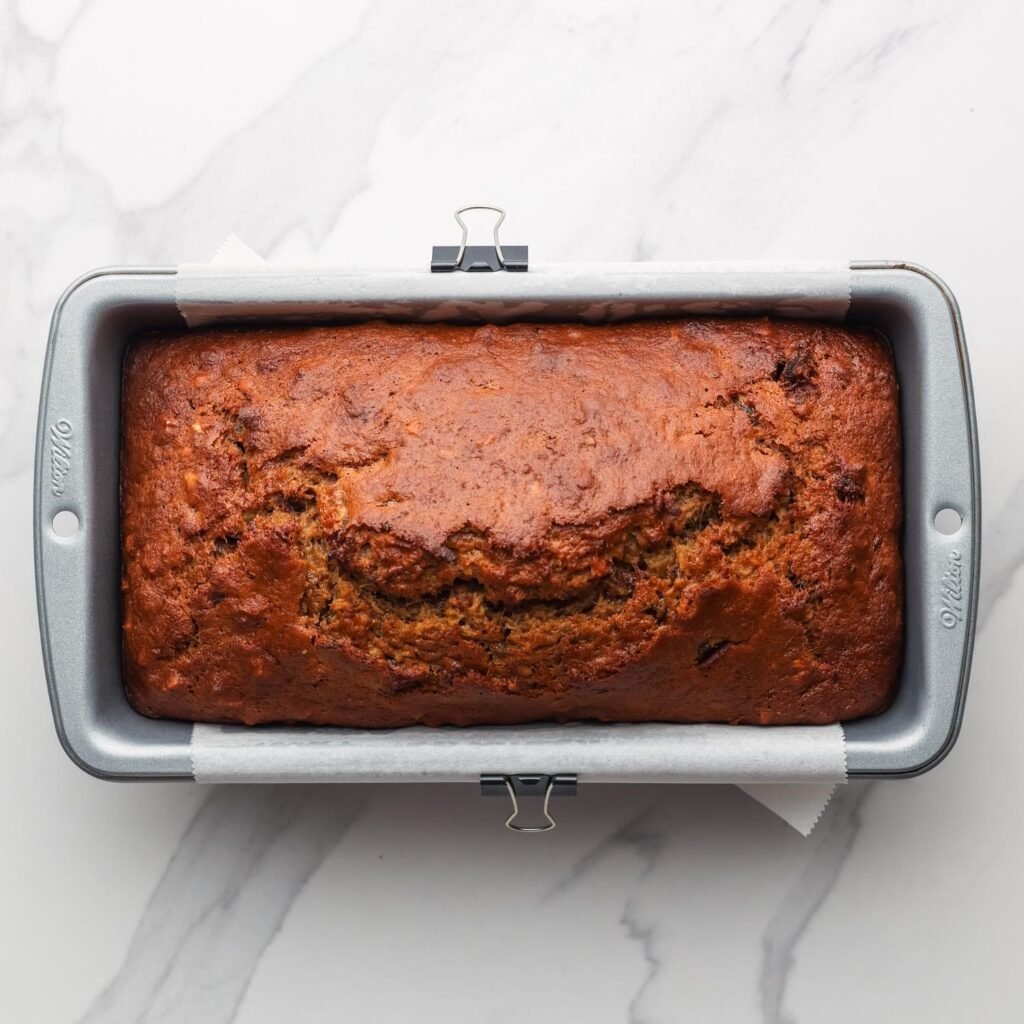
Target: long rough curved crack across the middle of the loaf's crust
[521, 619]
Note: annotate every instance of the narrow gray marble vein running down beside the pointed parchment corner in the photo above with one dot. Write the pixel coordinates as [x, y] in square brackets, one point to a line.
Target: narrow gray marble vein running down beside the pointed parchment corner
[836, 835]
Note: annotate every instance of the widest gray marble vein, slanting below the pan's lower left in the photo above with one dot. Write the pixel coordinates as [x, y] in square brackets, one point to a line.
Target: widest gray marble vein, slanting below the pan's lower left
[240, 867]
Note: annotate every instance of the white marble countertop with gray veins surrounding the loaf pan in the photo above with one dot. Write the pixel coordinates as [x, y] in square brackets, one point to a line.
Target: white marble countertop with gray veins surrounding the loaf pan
[141, 134]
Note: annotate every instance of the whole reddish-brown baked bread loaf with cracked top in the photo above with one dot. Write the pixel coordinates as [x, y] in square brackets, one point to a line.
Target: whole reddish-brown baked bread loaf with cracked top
[693, 521]
